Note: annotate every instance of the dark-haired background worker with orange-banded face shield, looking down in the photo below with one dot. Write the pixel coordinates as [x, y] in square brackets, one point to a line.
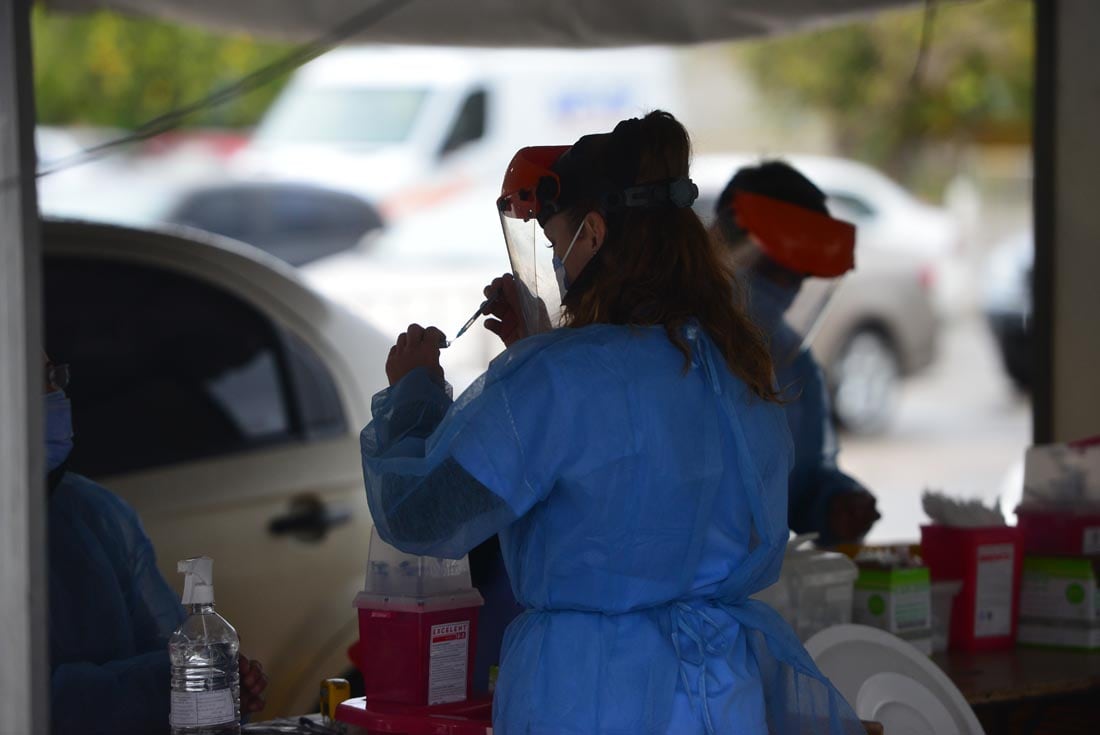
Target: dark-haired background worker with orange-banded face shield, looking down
[785, 244]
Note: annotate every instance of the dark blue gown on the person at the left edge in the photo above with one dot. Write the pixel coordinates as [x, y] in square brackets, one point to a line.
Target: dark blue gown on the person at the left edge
[111, 617]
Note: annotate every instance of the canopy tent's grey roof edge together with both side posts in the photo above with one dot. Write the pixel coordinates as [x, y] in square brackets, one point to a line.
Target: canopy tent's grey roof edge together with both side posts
[1068, 303]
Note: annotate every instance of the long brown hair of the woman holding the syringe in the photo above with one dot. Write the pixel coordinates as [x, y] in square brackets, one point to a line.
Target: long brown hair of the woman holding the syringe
[659, 267]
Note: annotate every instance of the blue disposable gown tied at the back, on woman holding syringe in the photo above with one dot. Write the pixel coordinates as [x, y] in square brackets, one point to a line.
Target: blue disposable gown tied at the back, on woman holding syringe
[640, 503]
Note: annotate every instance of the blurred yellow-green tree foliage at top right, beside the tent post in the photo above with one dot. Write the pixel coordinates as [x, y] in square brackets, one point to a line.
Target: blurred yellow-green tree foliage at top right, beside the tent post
[975, 83]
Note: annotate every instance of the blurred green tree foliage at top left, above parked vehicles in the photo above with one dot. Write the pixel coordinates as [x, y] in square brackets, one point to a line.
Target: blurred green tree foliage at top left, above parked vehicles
[115, 71]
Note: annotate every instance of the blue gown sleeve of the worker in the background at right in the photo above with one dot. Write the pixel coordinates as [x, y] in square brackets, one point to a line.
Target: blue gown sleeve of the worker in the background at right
[816, 479]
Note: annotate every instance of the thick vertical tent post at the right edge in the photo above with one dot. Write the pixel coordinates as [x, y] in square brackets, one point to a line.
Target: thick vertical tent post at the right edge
[1068, 222]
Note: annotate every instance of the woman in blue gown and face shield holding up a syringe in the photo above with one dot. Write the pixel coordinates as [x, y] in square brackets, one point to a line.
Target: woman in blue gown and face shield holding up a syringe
[633, 459]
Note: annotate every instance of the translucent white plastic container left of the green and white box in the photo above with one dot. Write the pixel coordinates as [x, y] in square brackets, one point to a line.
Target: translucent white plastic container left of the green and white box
[815, 590]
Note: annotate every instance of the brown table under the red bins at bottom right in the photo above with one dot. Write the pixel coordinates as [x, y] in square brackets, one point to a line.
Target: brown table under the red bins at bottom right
[1028, 690]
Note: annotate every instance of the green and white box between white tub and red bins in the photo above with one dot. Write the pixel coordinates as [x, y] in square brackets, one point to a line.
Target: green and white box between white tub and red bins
[898, 601]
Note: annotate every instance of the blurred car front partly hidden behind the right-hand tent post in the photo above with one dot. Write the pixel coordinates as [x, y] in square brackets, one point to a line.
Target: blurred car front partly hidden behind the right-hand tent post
[1007, 303]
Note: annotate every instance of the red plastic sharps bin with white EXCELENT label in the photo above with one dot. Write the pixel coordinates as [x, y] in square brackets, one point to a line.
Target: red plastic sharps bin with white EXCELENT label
[421, 655]
